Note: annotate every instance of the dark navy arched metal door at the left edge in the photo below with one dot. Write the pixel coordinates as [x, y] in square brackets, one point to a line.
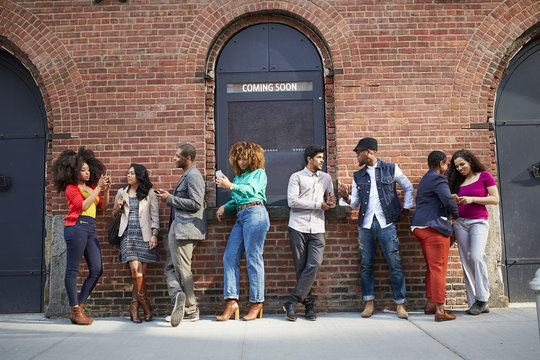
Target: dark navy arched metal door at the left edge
[22, 188]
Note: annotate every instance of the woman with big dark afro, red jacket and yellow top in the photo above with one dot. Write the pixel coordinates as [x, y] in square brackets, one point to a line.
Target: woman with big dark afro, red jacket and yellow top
[81, 176]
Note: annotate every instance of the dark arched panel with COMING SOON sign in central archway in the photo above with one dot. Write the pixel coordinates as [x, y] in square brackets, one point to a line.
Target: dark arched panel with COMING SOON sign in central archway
[269, 89]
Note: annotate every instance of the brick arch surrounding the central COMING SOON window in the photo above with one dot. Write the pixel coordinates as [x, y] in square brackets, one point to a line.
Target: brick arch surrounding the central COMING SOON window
[210, 31]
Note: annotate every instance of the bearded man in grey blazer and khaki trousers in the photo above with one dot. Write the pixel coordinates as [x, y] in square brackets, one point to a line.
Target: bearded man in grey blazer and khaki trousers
[187, 226]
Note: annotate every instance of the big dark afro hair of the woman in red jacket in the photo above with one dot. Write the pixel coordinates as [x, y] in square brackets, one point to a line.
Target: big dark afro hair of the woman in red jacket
[66, 169]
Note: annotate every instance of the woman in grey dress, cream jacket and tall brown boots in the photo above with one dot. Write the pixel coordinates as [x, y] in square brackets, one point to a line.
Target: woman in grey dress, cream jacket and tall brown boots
[139, 228]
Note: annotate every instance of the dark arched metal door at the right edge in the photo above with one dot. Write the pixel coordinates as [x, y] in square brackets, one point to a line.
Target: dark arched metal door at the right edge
[517, 126]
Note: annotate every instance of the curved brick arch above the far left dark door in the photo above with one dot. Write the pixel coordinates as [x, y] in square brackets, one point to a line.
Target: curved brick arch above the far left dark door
[51, 65]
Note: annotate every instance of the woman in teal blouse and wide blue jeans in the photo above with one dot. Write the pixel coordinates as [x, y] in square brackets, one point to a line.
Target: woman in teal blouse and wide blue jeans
[248, 192]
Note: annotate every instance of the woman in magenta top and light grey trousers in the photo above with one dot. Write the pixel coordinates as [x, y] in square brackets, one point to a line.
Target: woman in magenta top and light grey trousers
[473, 188]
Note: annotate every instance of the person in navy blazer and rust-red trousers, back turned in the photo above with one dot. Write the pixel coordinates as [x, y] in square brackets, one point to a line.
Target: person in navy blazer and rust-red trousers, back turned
[432, 226]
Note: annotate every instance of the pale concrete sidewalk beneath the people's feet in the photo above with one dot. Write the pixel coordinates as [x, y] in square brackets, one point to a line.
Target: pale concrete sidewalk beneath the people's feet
[510, 333]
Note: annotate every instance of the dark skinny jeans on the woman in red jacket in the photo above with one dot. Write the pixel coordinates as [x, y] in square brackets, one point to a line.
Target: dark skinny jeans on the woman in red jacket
[81, 239]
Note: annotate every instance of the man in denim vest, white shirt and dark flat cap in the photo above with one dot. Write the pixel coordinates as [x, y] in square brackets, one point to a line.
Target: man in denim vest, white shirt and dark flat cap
[373, 191]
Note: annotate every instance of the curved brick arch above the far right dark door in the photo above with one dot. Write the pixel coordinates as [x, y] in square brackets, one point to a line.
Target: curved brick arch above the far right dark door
[497, 39]
